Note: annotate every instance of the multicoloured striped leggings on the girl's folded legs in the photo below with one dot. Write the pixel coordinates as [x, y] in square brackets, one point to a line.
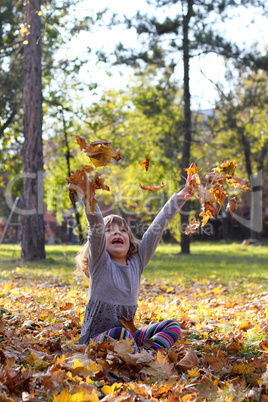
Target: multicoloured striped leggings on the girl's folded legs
[164, 334]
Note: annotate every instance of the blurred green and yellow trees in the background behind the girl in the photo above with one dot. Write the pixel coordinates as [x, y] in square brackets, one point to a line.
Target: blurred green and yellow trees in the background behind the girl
[152, 117]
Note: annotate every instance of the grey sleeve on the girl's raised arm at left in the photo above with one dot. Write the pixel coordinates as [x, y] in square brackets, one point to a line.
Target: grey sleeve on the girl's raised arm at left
[96, 239]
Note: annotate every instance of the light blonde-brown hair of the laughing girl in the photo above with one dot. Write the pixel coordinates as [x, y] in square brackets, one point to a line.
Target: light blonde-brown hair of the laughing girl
[81, 259]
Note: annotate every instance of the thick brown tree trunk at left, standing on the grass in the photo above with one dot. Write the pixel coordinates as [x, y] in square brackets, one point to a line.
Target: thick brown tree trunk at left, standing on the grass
[33, 230]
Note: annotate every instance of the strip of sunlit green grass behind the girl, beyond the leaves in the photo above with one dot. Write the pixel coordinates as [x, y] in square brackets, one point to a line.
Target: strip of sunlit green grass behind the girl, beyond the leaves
[215, 261]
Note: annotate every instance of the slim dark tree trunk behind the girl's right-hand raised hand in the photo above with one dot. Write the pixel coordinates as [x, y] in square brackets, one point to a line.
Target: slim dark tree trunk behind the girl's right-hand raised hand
[185, 162]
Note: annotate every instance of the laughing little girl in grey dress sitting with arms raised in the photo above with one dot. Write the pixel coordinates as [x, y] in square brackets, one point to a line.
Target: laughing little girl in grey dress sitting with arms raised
[114, 261]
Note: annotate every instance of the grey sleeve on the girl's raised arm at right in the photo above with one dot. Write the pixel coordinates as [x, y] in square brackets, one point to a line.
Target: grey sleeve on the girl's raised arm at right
[153, 234]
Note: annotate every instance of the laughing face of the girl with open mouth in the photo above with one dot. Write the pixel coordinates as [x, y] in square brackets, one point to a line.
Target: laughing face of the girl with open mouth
[117, 242]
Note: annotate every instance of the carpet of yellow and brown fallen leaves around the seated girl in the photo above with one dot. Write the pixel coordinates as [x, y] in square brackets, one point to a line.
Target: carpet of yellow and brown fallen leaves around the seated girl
[221, 356]
